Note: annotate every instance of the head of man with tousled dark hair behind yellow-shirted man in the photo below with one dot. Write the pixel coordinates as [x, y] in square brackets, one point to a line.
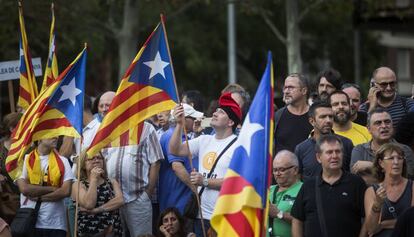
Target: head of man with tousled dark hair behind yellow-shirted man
[328, 82]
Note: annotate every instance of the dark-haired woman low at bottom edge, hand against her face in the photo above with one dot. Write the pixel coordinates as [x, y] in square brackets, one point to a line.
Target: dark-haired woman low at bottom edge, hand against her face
[171, 224]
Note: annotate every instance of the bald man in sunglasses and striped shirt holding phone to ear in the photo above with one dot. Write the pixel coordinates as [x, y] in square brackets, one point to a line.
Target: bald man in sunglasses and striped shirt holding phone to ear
[383, 95]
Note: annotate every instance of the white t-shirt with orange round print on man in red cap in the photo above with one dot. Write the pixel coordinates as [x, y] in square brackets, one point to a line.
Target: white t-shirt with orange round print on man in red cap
[208, 148]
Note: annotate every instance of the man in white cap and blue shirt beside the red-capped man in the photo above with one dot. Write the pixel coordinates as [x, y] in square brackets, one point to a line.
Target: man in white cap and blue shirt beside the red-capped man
[175, 186]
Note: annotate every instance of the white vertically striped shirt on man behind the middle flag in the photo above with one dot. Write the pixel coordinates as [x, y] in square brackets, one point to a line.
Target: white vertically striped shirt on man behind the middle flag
[130, 164]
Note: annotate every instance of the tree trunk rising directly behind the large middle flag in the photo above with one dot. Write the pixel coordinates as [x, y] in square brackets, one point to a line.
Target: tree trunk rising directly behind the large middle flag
[128, 36]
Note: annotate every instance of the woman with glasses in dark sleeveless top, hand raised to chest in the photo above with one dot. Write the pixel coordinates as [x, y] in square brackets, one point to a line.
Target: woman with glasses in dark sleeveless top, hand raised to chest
[385, 201]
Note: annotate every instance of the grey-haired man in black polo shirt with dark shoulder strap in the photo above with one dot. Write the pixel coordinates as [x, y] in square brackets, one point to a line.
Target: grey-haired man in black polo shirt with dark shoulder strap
[332, 203]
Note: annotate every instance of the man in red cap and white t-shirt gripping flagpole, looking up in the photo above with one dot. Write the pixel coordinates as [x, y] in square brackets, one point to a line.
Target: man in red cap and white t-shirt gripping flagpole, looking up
[209, 148]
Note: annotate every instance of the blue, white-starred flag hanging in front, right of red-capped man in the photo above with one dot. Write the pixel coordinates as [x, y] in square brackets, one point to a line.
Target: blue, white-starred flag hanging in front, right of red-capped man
[241, 209]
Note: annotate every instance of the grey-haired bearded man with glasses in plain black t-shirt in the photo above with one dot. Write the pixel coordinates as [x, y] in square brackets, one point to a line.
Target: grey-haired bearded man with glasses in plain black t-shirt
[291, 122]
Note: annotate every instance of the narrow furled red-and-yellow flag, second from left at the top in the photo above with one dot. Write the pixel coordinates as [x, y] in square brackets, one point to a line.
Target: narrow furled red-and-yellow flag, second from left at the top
[51, 70]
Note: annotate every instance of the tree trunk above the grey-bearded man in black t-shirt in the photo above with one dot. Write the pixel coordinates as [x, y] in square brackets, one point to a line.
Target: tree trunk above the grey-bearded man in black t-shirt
[293, 37]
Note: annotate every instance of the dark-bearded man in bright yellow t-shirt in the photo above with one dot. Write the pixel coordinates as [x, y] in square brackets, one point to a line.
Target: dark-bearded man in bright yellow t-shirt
[343, 125]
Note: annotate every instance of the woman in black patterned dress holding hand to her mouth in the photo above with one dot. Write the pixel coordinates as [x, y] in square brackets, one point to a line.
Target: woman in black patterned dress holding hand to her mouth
[99, 199]
